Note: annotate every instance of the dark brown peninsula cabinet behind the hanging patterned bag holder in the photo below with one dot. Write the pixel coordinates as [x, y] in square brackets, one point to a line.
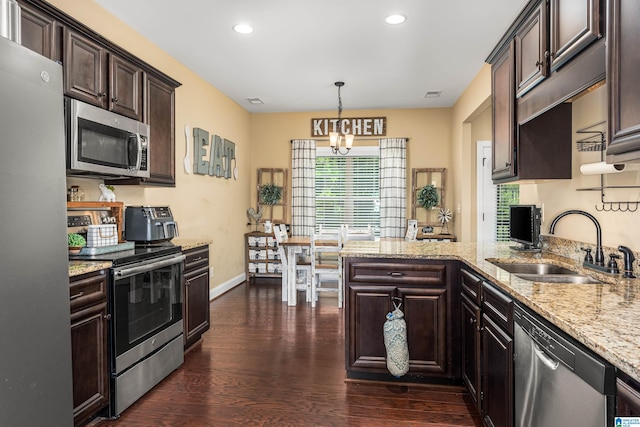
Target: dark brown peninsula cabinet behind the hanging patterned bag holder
[423, 288]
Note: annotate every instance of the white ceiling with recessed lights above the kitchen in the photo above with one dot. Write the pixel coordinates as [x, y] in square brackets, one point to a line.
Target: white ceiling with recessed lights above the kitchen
[301, 47]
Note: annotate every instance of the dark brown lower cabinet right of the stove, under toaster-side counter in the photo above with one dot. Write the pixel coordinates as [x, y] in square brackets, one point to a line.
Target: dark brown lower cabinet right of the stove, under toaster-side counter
[196, 294]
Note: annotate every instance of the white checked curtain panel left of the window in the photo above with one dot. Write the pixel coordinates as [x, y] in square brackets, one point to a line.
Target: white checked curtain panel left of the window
[303, 183]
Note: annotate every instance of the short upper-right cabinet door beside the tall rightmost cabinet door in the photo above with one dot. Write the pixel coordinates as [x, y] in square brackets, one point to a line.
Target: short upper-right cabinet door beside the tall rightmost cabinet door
[574, 25]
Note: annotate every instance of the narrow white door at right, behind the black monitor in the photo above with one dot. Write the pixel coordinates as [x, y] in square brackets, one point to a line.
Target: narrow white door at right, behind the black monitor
[486, 194]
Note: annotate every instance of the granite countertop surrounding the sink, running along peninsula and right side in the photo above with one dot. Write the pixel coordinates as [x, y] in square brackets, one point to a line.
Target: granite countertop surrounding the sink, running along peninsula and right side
[604, 317]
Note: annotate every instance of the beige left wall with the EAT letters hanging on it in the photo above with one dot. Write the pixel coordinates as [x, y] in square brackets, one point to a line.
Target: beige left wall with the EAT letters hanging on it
[204, 206]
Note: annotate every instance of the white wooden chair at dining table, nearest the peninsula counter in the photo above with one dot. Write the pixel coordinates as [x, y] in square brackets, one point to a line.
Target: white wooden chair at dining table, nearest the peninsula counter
[325, 271]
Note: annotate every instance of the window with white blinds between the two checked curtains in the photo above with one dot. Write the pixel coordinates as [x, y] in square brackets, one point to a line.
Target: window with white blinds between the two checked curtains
[348, 188]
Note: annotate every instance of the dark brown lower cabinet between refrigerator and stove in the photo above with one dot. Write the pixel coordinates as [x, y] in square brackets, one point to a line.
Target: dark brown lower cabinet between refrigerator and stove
[89, 351]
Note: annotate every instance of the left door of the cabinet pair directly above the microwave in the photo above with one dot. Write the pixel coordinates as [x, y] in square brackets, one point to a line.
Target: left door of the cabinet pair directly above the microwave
[85, 69]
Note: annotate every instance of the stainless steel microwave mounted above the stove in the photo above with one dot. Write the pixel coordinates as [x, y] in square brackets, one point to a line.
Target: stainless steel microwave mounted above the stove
[103, 143]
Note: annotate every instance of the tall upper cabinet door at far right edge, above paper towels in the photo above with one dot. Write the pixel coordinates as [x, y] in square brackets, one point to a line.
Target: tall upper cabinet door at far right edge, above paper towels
[623, 63]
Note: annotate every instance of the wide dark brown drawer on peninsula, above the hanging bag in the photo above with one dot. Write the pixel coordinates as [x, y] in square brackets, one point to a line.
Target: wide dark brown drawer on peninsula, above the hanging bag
[396, 273]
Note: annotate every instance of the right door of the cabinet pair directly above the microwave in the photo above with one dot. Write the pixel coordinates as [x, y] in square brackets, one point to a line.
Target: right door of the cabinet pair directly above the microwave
[125, 87]
